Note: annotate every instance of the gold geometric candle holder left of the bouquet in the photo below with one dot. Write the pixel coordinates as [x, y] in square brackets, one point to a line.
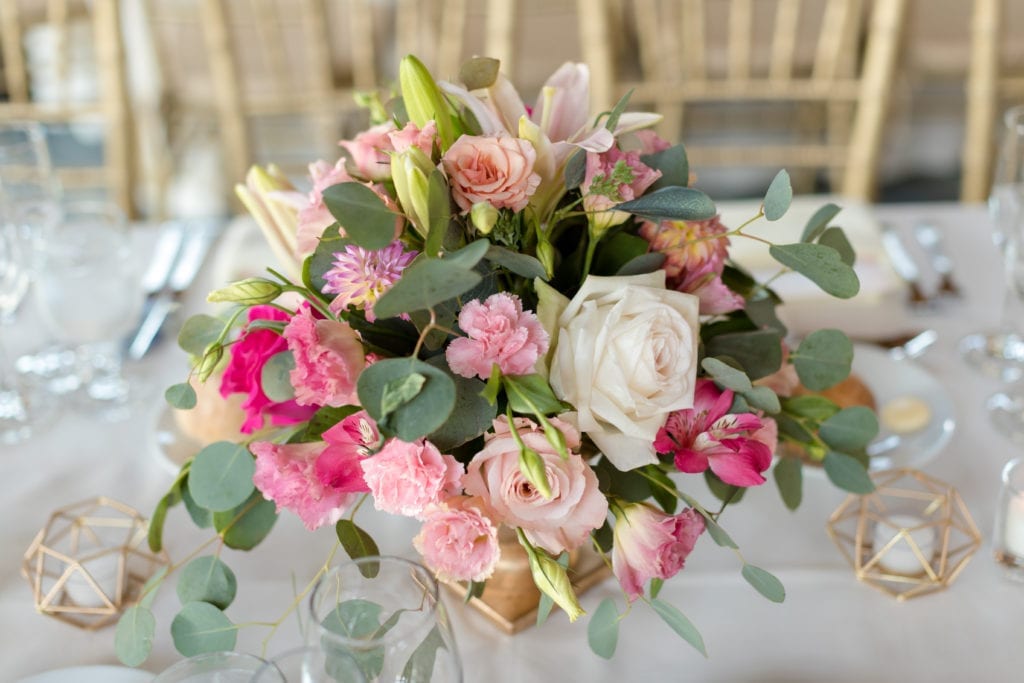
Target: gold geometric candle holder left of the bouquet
[91, 562]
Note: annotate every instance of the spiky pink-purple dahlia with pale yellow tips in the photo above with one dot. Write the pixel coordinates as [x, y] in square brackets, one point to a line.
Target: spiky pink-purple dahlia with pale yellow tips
[361, 277]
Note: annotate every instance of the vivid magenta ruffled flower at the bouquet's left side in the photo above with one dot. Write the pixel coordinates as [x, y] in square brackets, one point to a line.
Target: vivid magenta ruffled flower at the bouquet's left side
[244, 372]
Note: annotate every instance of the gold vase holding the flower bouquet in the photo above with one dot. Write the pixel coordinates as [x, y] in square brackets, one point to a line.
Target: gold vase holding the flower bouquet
[510, 599]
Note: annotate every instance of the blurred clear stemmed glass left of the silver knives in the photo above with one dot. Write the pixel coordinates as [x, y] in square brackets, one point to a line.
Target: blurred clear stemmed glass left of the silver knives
[88, 288]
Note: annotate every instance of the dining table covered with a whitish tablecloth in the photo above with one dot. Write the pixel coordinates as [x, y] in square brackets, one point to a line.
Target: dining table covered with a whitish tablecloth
[831, 626]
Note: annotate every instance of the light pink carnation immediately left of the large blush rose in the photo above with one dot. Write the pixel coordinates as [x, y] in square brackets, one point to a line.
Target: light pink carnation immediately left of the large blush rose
[405, 478]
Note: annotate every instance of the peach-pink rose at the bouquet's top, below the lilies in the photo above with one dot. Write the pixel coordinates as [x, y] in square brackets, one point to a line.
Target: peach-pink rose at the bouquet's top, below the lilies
[498, 170]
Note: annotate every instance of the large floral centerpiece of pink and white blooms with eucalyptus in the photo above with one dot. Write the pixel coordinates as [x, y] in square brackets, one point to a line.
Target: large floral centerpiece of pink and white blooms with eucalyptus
[494, 316]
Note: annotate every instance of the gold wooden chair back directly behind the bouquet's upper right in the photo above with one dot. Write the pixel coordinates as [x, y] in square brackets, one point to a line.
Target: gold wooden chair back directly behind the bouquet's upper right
[800, 84]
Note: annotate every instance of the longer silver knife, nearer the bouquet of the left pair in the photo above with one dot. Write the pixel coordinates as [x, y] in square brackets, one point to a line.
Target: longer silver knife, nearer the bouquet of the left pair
[199, 239]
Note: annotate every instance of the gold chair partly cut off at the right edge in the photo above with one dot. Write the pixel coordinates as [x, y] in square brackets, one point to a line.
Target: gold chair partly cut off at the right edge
[996, 80]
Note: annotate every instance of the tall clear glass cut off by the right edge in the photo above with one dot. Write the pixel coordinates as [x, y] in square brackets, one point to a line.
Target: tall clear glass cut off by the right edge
[1000, 354]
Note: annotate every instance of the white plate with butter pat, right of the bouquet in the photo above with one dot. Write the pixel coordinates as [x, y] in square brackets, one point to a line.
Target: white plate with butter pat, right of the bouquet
[890, 379]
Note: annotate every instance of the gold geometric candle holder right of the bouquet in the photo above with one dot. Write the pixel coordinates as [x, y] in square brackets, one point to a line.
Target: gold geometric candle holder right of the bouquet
[912, 537]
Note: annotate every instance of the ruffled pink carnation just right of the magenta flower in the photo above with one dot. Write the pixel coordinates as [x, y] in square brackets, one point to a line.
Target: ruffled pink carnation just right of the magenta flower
[329, 359]
